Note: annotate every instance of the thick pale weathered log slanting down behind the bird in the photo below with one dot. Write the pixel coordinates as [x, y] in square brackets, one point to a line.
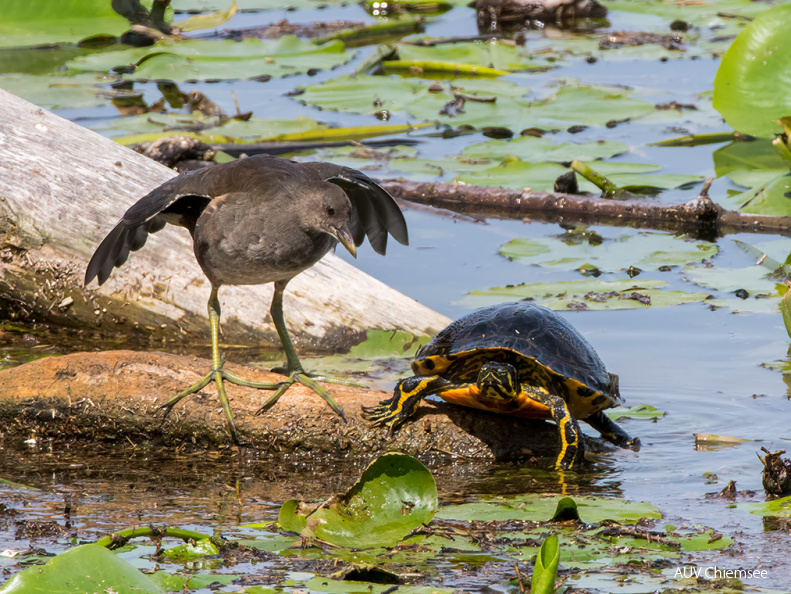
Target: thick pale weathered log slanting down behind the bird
[63, 187]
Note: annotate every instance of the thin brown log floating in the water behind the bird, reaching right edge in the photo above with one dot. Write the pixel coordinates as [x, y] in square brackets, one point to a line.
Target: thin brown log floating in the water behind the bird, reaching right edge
[700, 216]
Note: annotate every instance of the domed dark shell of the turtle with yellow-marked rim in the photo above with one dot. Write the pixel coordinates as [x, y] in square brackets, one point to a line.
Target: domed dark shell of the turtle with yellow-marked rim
[546, 350]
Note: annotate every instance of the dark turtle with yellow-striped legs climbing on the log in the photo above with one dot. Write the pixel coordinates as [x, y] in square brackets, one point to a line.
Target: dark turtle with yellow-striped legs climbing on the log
[517, 359]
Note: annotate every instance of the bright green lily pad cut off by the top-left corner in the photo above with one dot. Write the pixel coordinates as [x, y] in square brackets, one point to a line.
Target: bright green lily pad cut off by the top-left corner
[25, 23]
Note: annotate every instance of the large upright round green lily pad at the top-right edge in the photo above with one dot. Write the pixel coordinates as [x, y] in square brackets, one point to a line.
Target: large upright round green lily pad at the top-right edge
[750, 88]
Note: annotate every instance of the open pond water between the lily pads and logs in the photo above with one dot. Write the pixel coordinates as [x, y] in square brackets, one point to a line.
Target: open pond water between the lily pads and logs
[703, 366]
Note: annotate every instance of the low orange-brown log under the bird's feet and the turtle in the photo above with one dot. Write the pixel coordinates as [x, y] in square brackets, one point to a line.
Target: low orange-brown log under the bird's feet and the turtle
[113, 396]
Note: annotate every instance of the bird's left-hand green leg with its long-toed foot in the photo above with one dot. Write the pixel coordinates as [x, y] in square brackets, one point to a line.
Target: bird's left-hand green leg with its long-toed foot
[217, 373]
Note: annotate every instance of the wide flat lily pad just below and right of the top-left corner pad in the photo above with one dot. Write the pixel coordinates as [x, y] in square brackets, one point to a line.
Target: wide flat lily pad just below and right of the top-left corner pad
[180, 61]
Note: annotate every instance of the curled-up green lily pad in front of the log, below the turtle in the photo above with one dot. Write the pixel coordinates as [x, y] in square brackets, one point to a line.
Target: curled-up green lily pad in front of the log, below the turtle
[394, 495]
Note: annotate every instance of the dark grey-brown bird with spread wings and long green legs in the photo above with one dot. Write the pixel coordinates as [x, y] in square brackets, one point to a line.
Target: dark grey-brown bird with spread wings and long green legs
[253, 221]
